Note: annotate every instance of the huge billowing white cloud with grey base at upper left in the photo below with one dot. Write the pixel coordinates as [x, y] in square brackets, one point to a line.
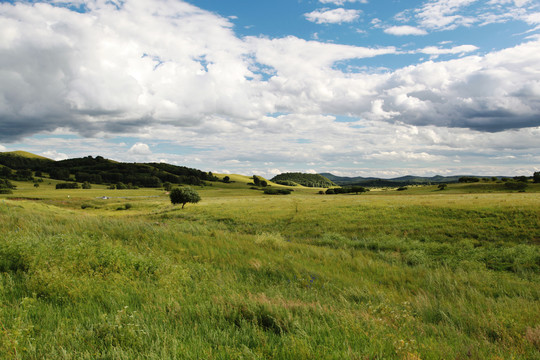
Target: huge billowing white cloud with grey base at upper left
[116, 68]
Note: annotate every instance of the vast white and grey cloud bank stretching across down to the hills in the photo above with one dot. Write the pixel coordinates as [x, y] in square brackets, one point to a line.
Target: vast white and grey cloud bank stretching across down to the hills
[143, 73]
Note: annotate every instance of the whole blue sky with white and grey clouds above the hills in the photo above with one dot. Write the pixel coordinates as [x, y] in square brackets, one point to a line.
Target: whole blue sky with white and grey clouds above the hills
[353, 87]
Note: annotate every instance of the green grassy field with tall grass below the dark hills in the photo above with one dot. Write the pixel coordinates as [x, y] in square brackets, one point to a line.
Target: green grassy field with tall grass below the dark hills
[417, 274]
